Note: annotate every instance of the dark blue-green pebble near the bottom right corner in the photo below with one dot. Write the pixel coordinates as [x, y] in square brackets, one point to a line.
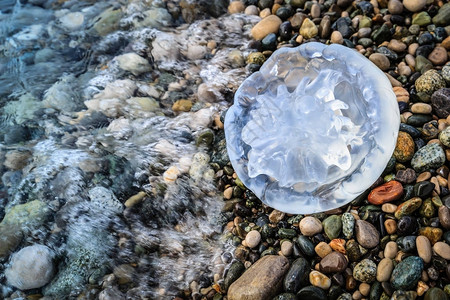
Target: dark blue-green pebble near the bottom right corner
[407, 273]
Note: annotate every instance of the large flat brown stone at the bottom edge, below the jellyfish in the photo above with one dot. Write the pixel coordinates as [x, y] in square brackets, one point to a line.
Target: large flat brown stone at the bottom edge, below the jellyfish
[261, 281]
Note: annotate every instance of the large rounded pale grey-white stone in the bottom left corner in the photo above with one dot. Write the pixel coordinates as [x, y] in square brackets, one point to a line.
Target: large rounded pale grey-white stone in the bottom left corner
[31, 267]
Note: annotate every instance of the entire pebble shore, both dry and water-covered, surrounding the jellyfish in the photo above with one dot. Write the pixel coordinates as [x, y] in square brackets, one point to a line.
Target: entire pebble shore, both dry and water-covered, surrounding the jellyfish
[115, 179]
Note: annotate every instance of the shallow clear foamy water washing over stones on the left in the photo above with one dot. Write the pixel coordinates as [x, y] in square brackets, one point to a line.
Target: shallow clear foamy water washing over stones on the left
[95, 165]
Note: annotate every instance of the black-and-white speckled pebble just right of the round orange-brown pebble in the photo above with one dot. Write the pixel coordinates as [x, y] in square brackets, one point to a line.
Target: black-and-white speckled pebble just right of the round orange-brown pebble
[428, 157]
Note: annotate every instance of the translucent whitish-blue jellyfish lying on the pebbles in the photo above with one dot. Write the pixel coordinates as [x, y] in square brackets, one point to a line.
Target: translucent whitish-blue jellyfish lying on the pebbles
[313, 129]
